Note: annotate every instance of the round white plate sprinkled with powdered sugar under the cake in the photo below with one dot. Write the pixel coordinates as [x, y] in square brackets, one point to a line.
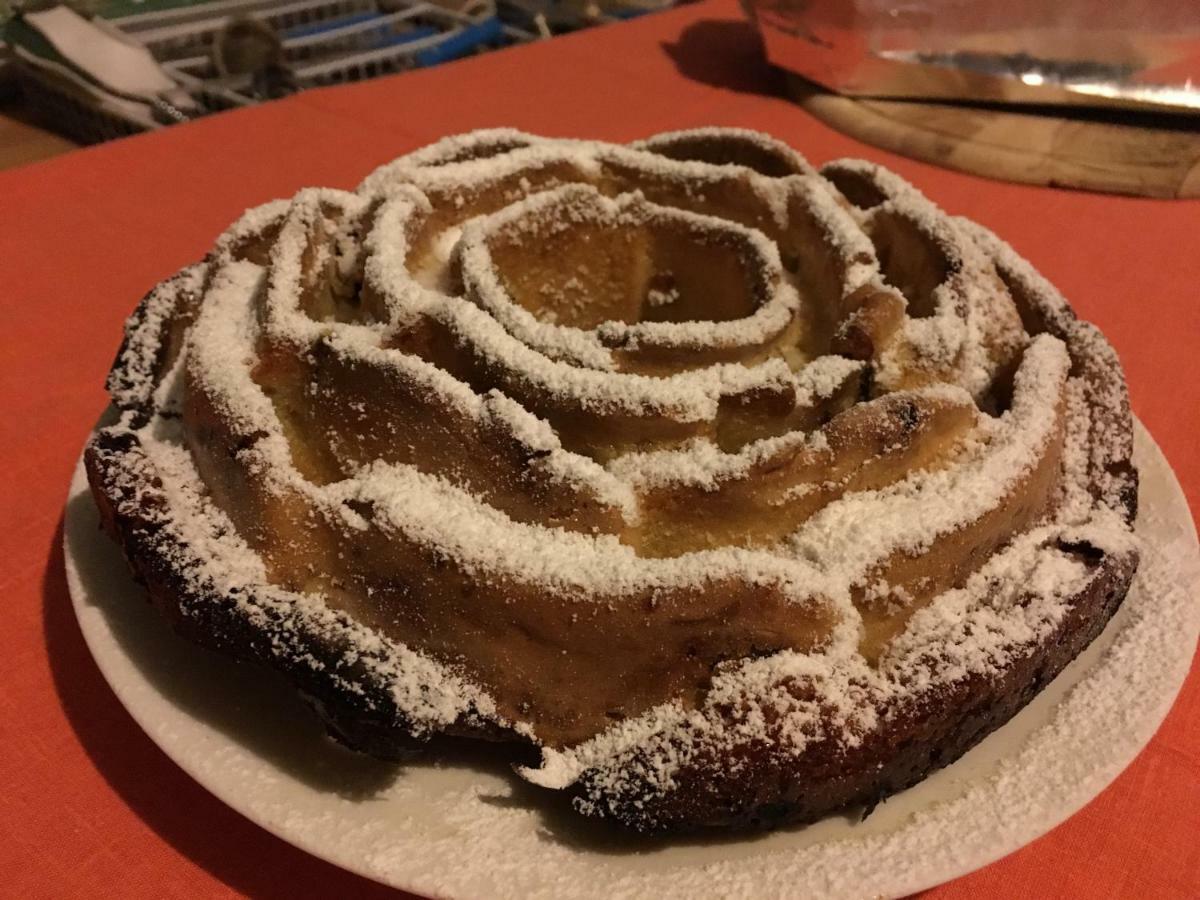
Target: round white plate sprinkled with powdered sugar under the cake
[467, 829]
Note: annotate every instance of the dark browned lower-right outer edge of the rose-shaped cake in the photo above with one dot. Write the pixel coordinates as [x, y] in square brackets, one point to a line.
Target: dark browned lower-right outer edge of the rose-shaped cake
[927, 734]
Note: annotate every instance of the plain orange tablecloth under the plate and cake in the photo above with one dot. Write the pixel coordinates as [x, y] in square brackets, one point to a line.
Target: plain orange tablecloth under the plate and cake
[88, 806]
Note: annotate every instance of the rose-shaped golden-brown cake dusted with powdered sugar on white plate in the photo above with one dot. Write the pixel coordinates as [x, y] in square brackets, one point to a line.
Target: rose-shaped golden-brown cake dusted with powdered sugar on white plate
[737, 491]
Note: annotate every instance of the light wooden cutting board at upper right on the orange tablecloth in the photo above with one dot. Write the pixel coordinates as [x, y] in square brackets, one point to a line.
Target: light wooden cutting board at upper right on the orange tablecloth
[1148, 157]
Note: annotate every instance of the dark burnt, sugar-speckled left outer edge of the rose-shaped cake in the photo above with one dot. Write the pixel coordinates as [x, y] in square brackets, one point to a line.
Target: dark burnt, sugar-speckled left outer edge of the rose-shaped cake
[355, 704]
